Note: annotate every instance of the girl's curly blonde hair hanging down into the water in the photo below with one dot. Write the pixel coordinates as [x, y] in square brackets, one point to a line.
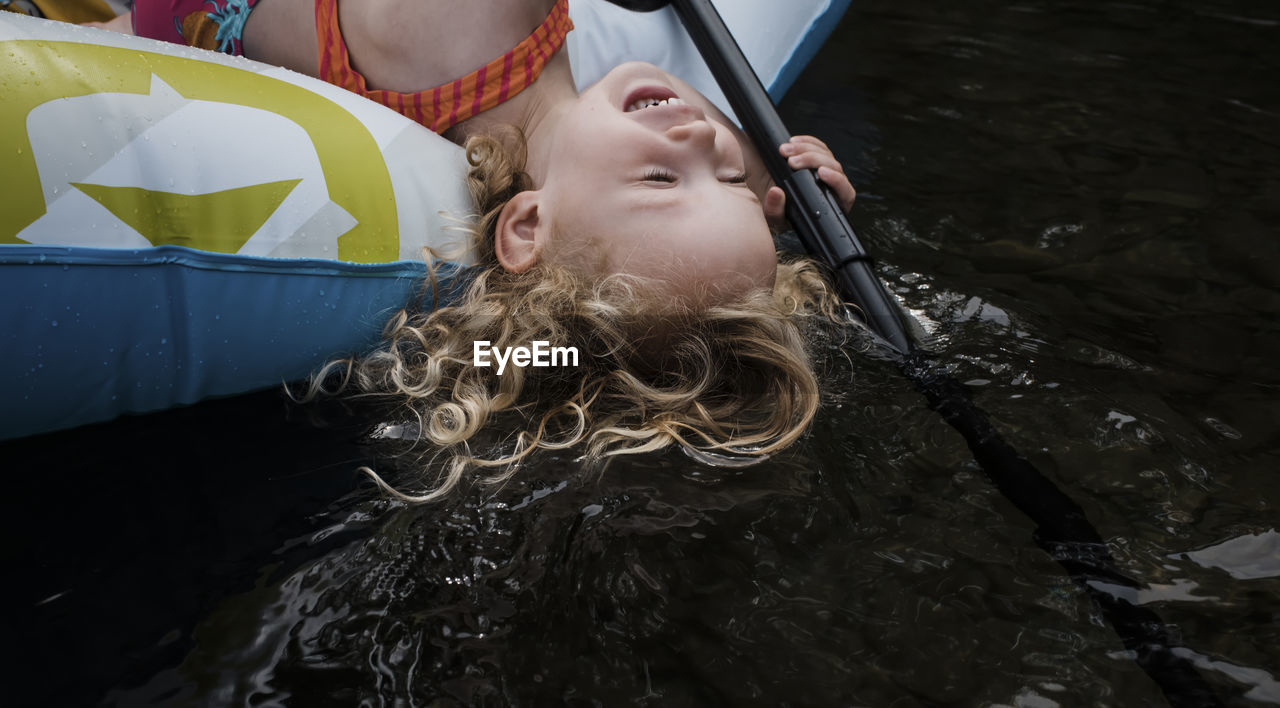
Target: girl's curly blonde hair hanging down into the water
[733, 378]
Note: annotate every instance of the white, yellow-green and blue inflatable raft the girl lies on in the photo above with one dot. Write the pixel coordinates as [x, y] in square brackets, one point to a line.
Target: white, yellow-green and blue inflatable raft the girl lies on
[177, 225]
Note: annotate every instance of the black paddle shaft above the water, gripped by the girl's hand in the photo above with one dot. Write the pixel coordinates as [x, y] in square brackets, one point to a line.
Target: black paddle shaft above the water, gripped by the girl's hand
[812, 209]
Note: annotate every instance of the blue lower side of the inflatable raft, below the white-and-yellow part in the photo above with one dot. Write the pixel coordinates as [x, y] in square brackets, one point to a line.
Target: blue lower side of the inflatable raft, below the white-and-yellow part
[122, 331]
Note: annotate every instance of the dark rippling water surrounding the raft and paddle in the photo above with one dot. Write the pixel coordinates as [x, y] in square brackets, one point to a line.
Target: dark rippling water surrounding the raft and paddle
[1081, 204]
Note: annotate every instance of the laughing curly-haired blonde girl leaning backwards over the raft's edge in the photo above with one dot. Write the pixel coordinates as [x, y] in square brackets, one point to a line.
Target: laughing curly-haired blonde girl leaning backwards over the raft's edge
[630, 221]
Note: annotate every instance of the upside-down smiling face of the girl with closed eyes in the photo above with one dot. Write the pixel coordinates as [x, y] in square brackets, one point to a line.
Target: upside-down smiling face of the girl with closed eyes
[639, 181]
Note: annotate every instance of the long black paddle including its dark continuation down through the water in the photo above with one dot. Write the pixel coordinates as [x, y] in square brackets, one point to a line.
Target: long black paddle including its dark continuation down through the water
[1062, 528]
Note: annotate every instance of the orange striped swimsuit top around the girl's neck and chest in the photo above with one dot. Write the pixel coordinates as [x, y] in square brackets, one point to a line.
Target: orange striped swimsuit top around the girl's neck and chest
[447, 106]
